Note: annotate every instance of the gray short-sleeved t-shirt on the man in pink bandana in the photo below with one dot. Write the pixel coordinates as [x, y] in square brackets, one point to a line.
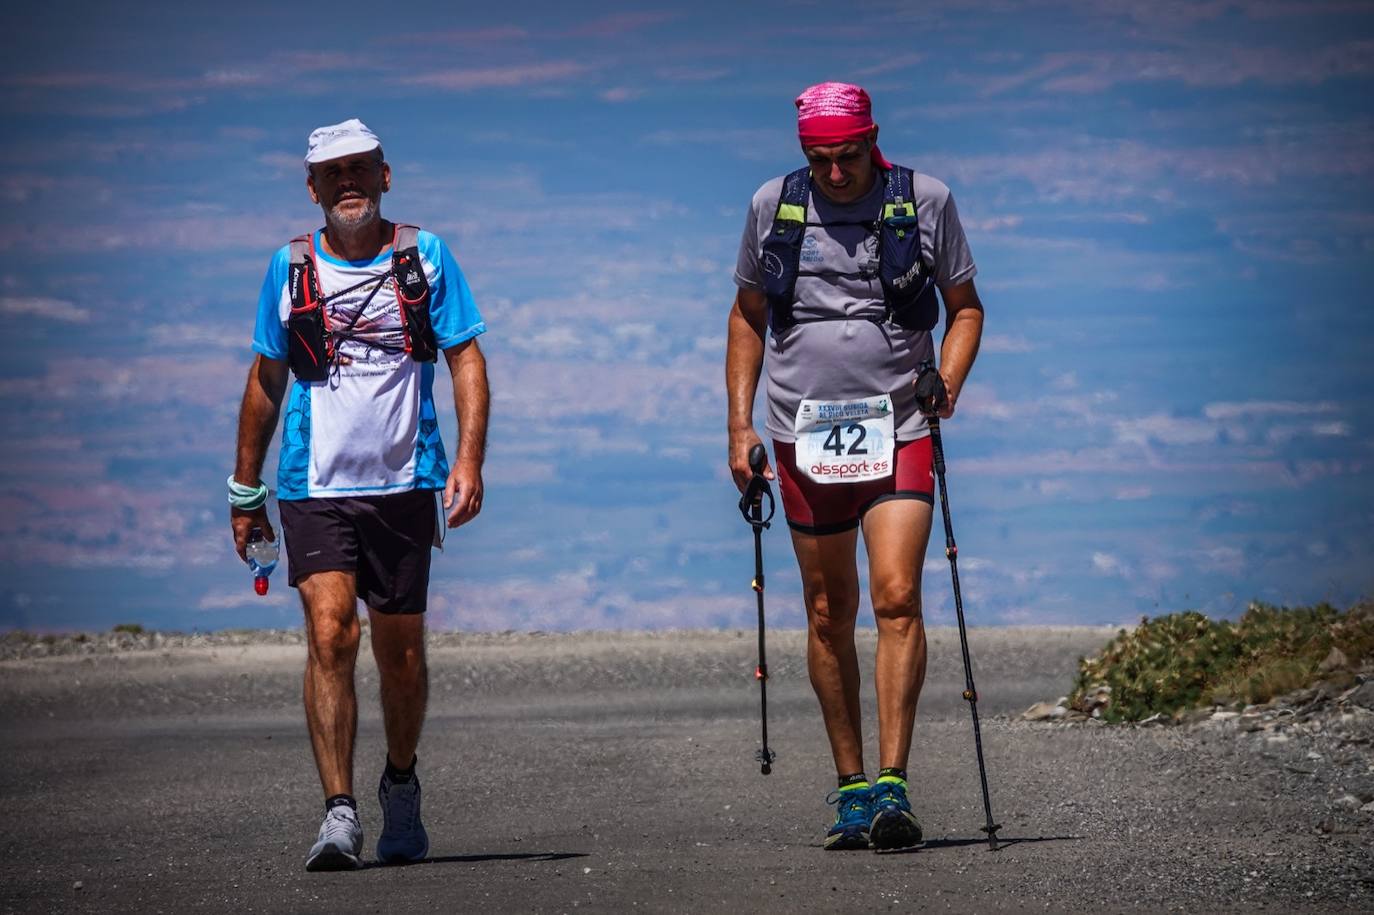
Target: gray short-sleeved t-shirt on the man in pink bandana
[854, 359]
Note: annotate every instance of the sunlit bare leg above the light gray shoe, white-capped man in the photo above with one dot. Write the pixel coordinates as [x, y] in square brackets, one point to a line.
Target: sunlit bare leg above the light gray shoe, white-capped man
[332, 630]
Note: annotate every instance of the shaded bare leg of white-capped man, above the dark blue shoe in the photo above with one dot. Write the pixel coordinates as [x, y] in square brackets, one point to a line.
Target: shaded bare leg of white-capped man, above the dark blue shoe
[399, 649]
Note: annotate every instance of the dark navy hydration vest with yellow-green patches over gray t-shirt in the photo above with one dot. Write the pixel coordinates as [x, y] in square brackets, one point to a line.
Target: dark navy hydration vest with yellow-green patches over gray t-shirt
[909, 286]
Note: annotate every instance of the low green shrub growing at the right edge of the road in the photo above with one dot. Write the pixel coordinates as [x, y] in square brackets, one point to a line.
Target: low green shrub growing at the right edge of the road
[1185, 660]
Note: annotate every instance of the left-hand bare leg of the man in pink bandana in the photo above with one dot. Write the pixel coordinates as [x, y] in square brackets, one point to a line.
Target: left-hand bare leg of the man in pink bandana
[831, 586]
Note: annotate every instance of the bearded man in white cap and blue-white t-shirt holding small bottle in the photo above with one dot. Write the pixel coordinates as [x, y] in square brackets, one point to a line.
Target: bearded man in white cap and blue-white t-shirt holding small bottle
[359, 313]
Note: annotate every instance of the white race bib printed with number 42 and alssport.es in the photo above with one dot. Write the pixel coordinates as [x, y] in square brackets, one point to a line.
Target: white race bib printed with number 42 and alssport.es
[846, 440]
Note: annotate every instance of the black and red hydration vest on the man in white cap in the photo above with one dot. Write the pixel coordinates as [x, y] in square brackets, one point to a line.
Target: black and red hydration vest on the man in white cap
[311, 341]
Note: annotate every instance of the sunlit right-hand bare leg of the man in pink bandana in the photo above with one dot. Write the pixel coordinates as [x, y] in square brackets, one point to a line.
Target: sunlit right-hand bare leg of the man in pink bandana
[897, 534]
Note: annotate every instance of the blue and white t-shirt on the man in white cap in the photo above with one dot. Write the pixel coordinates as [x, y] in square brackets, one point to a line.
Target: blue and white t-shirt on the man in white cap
[370, 428]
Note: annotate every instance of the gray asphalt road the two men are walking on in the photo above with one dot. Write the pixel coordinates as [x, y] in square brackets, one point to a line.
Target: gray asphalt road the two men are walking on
[615, 773]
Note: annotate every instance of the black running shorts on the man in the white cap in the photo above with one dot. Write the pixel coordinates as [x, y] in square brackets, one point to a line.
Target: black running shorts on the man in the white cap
[384, 541]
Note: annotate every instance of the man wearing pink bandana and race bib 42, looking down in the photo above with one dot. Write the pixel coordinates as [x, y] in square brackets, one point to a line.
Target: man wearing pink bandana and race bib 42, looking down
[837, 271]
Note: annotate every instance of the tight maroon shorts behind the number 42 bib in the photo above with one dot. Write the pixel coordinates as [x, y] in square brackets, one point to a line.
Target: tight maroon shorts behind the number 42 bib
[825, 509]
